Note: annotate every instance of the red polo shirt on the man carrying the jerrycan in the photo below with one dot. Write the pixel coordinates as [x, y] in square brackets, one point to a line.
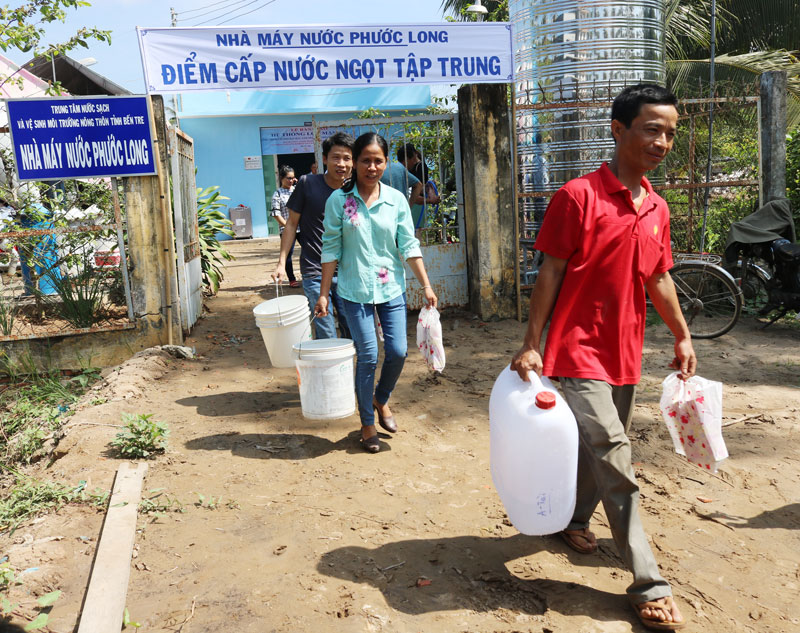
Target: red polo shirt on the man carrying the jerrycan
[597, 326]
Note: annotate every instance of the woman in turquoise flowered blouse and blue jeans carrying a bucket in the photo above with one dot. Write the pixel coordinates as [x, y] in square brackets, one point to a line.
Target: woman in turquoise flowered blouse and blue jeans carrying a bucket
[368, 233]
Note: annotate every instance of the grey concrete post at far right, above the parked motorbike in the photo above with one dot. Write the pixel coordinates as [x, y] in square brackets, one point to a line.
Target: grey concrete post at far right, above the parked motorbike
[772, 128]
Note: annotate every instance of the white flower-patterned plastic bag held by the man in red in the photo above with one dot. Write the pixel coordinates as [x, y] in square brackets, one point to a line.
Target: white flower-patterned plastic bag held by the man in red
[692, 410]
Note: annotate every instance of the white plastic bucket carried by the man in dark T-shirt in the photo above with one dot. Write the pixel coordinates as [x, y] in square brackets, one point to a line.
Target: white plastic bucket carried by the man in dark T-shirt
[283, 322]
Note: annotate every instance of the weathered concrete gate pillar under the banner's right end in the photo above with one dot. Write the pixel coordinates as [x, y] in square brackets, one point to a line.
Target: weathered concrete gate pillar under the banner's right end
[488, 199]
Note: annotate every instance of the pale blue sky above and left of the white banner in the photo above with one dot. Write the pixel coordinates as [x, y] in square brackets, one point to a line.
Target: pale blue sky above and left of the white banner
[121, 62]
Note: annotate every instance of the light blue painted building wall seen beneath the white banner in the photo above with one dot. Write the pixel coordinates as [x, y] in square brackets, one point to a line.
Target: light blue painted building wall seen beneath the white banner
[226, 128]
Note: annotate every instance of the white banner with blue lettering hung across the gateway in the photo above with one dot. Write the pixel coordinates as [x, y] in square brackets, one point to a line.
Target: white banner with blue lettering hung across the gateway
[217, 58]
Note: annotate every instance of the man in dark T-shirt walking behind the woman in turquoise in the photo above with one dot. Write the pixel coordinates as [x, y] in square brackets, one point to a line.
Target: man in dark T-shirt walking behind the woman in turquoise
[307, 210]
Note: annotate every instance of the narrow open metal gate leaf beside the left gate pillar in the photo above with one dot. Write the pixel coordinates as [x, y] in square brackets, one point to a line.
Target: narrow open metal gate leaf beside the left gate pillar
[187, 236]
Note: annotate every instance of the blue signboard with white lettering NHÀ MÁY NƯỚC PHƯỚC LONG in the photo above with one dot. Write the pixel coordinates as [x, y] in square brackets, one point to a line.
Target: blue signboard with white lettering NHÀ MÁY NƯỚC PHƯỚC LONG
[88, 137]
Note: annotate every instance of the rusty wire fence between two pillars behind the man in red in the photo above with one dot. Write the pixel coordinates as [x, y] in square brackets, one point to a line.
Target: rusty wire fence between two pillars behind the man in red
[545, 128]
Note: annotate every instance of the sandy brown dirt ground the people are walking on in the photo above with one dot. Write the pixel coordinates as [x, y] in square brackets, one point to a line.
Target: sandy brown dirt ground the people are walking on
[299, 530]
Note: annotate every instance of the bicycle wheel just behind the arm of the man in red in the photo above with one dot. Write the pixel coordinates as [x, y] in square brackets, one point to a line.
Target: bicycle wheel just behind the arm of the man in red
[710, 300]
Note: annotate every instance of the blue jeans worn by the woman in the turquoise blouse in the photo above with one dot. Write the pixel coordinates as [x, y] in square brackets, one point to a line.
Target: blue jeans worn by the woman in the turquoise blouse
[361, 319]
